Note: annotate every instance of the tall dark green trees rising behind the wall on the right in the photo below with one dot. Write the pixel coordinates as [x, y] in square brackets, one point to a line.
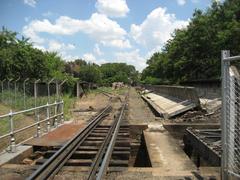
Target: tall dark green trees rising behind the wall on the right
[194, 53]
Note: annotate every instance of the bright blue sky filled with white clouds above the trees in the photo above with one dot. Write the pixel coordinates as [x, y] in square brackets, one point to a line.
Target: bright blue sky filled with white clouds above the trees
[99, 31]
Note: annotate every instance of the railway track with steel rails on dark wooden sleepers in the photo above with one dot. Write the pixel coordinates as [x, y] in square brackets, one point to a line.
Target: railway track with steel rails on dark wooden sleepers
[103, 145]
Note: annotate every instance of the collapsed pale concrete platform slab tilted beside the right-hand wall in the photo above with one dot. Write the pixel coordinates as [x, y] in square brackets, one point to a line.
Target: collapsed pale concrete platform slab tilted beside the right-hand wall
[168, 106]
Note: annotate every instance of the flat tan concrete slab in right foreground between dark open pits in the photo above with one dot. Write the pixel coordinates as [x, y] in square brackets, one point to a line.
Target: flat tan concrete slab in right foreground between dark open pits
[165, 153]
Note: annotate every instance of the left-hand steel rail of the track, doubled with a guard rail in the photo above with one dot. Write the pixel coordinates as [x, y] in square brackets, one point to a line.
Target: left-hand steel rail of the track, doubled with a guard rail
[51, 167]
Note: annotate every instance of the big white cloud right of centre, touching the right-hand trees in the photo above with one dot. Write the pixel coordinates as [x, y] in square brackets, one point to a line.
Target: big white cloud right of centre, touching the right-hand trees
[156, 29]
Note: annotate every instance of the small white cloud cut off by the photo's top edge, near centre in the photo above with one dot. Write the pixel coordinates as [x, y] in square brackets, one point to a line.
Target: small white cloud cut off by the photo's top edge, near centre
[116, 8]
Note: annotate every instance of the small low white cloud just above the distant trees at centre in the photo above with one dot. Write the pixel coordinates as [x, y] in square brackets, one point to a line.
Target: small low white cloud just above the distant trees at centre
[133, 58]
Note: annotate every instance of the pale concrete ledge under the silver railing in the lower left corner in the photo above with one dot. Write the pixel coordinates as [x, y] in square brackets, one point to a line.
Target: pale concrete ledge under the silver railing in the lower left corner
[22, 151]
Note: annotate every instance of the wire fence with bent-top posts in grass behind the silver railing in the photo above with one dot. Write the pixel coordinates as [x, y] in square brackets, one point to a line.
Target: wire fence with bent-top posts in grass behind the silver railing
[24, 94]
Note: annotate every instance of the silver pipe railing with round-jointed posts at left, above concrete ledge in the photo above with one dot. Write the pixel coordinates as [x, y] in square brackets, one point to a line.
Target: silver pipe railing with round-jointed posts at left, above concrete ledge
[13, 131]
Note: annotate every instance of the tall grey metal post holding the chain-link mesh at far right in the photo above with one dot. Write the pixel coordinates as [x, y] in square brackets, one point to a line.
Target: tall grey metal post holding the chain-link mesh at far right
[224, 74]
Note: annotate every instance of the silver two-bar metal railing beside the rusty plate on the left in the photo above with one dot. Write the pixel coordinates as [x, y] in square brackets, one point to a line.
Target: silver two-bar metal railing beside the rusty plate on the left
[56, 118]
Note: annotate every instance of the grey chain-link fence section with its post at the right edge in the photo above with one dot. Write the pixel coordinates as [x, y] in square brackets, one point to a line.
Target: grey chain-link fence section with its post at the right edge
[231, 116]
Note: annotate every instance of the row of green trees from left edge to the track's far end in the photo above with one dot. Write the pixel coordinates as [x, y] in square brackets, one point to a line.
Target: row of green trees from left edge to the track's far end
[19, 58]
